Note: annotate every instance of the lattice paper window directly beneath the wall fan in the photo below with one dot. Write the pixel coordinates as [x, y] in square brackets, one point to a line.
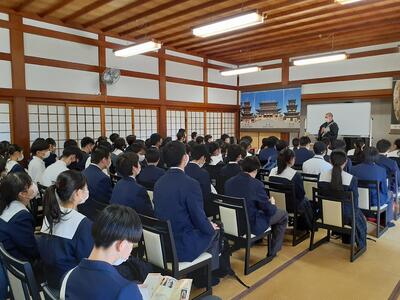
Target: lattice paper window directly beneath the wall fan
[118, 120]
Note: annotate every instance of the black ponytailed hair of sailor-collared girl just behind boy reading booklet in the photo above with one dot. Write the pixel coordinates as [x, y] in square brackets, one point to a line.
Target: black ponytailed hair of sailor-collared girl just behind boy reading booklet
[67, 183]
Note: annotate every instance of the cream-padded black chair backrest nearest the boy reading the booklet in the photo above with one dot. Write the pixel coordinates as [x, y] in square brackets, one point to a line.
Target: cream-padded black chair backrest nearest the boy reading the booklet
[159, 243]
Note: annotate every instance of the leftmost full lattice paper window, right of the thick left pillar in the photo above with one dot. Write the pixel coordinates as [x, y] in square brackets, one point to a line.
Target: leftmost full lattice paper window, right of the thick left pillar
[47, 121]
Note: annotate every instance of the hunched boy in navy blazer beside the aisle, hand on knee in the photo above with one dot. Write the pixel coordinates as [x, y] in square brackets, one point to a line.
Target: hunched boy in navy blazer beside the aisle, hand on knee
[262, 213]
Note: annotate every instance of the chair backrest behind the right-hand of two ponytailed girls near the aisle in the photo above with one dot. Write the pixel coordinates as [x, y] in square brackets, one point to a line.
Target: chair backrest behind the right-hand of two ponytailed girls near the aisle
[331, 206]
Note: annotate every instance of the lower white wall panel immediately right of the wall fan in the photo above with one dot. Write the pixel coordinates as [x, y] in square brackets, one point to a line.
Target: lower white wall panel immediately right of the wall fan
[134, 87]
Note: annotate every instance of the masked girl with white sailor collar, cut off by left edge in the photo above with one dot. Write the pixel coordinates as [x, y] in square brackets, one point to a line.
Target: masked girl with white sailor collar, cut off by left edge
[17, 225]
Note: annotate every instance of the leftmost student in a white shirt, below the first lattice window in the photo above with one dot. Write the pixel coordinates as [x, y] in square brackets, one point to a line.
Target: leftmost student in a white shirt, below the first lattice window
[40, 150]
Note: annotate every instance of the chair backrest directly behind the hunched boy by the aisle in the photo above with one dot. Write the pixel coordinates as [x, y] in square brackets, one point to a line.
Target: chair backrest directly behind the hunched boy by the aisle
[233, 214]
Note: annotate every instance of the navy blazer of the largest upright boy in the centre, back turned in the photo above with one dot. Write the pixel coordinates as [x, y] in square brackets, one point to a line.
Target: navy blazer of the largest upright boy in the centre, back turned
[178, 198]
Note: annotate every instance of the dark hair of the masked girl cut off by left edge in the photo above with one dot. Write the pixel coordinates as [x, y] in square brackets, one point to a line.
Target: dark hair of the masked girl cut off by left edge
[10, 186]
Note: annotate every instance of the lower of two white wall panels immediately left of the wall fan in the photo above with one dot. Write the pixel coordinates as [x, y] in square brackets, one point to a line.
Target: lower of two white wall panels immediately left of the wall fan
[43, 78]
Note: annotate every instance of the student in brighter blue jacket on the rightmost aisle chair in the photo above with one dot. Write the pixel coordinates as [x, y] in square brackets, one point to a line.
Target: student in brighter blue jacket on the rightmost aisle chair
[369, 170]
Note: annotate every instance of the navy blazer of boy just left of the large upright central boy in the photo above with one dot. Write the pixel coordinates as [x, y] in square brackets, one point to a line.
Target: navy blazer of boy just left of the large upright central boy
[129, 193]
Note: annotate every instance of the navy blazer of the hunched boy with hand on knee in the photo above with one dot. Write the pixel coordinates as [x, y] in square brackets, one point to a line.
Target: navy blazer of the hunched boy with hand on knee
[259, 208]
